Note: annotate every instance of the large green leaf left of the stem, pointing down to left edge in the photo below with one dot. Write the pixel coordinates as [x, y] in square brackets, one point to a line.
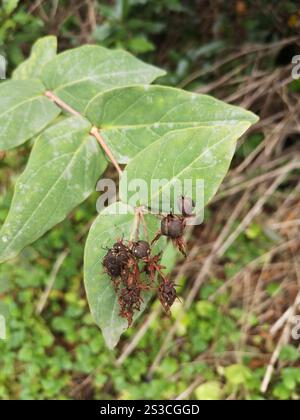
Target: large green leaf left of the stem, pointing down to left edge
[62, 171]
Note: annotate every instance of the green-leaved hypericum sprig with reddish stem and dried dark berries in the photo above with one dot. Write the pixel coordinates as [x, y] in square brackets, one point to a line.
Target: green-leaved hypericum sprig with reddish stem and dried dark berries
[85, 107]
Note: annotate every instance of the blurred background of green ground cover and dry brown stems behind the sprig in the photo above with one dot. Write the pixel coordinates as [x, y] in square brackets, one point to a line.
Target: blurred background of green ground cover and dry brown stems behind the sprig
[240, 285]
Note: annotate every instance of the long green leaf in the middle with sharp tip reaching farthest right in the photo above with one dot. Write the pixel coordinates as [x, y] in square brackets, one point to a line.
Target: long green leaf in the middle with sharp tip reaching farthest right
[131, 118]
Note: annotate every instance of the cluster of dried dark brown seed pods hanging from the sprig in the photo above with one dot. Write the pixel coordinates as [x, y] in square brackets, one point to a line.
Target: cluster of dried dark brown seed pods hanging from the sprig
[125, 264]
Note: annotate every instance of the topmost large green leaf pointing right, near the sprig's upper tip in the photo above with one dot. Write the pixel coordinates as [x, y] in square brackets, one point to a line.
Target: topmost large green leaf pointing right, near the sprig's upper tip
[77, 75]
